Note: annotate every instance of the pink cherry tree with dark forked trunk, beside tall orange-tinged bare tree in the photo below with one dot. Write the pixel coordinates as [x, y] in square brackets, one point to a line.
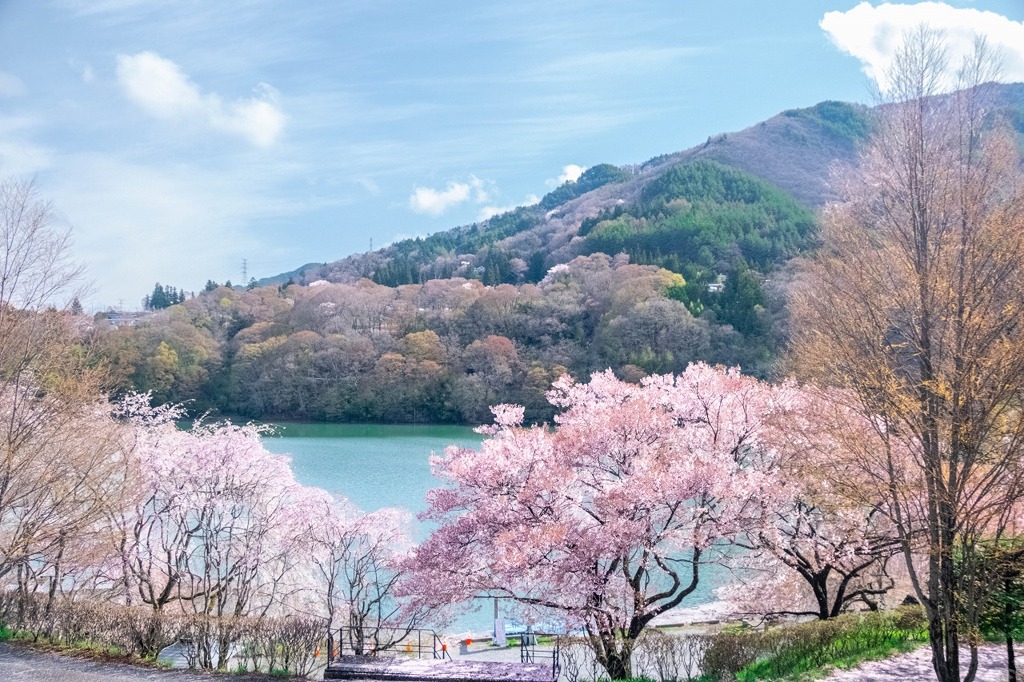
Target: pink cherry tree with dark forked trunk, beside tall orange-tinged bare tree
[820, 551]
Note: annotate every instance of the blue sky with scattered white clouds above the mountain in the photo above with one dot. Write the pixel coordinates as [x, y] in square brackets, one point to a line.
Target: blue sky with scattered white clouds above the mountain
[178, 139]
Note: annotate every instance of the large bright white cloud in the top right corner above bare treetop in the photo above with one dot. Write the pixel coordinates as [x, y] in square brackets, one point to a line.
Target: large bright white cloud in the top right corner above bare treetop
[873, 34]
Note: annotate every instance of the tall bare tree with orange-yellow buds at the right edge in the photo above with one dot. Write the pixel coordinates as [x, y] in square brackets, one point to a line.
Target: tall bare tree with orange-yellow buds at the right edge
[916, 305]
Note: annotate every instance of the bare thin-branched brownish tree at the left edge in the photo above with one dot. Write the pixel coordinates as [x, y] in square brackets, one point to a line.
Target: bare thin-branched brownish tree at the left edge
[56, 436]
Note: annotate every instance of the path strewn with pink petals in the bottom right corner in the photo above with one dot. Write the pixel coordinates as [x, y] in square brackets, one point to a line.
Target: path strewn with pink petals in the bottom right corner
[917, 667]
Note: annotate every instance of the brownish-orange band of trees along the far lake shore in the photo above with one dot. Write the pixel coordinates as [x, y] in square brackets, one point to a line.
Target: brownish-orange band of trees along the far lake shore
[442, 352]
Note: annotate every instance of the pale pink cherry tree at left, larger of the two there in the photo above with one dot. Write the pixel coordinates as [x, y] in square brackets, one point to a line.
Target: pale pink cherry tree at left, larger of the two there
[209, 528]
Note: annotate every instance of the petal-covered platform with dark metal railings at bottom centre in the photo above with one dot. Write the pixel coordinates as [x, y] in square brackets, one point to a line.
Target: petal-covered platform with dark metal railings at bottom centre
[420, 656]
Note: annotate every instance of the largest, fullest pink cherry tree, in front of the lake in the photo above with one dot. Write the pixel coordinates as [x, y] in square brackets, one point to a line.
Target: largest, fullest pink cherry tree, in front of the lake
[610, 519]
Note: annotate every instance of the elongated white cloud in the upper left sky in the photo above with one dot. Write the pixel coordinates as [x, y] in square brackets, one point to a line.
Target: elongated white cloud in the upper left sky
[160, 89]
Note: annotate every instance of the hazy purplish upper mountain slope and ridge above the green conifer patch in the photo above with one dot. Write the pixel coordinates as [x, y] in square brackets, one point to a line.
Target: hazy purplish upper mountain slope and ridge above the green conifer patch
[795, 151]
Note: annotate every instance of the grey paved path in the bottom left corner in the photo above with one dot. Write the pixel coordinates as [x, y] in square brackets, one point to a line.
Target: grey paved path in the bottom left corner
[19, 664]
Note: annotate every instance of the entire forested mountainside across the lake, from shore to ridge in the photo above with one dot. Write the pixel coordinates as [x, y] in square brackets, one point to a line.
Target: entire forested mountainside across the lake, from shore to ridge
[642, 270]
